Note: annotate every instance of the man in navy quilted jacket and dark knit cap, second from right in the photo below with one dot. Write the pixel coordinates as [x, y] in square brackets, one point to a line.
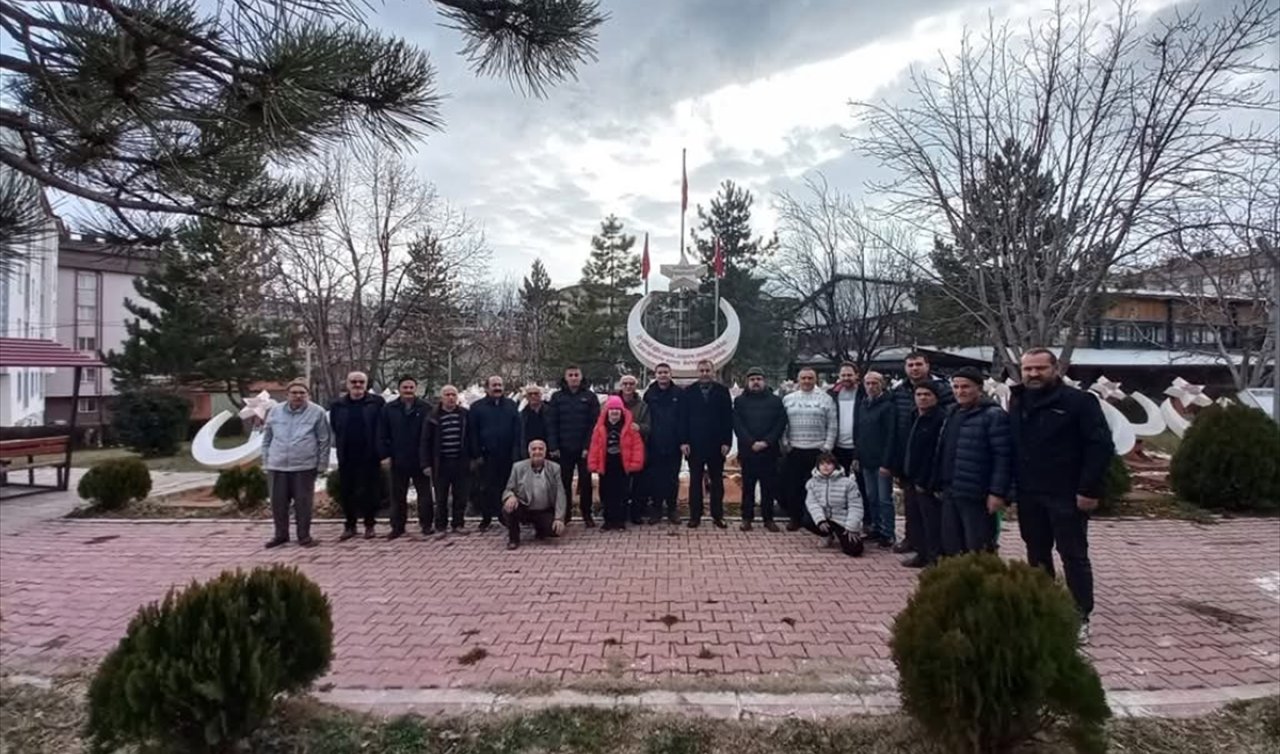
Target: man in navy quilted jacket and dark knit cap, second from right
[975, 467]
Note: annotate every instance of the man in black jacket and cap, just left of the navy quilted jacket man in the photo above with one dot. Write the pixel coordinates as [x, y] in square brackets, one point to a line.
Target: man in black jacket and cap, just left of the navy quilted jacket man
[917, 474]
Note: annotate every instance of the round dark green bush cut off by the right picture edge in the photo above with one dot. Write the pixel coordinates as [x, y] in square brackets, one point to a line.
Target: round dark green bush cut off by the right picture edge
[1229, 460]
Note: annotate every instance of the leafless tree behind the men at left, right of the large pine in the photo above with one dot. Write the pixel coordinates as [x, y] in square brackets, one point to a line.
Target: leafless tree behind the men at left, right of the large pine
[380, 259]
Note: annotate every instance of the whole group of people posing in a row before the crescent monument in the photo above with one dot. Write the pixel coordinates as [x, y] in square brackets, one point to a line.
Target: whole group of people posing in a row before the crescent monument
[830, 459]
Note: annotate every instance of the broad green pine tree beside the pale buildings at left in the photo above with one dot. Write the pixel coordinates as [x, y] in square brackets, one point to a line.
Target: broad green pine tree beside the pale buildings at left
[202, 319]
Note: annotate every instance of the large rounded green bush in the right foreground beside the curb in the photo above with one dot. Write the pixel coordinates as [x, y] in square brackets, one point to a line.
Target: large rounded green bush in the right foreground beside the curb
[988, 656]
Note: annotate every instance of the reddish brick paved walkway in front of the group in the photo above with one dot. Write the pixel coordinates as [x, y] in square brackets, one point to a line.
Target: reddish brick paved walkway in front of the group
[1181, 606]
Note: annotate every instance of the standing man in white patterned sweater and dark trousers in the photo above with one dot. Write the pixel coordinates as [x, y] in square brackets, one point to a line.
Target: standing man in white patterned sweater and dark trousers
[812, 427]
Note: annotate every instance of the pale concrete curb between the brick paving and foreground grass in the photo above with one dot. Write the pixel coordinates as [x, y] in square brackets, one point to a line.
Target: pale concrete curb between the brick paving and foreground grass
[743, 705]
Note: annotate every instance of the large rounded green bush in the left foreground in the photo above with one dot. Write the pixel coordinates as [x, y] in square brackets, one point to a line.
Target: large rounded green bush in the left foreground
[200, 670]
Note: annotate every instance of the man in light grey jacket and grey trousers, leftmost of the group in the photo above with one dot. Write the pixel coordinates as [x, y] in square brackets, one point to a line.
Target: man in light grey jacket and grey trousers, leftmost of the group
[295, 450]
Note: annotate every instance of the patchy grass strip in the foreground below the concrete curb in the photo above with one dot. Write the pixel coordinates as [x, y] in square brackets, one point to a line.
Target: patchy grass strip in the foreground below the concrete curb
[51, 720]
